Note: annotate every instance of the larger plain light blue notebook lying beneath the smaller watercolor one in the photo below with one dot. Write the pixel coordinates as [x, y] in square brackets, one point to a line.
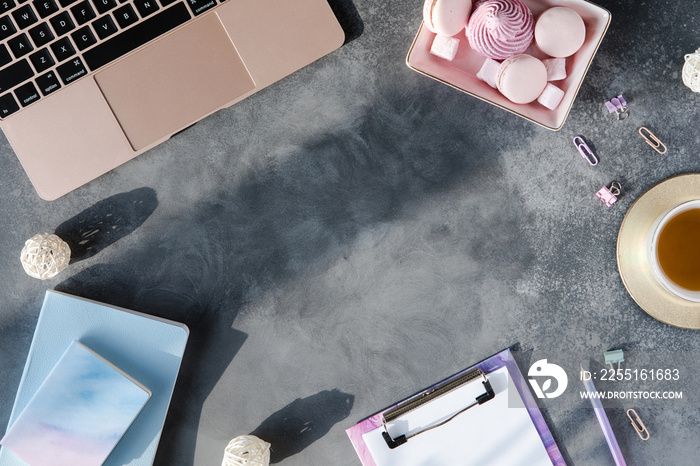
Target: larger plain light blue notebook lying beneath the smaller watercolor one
[147, 348]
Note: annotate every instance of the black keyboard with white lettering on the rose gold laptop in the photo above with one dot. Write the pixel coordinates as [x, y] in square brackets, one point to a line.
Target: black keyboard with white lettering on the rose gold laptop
[48, 44]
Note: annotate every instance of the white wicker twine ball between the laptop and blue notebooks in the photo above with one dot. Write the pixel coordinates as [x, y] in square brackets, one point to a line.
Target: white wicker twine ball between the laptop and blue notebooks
[44, 255]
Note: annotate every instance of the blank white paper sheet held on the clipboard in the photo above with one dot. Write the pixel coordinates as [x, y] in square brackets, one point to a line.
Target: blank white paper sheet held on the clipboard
[499, 432]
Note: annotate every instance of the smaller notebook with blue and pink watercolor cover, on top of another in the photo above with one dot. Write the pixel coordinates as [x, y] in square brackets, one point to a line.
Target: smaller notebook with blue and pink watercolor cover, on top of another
[78, 414]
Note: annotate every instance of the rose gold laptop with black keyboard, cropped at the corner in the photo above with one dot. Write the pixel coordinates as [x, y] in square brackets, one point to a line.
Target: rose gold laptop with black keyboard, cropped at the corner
[86, 85]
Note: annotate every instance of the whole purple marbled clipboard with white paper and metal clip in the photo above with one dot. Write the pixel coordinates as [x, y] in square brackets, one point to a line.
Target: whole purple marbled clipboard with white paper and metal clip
[483, 415]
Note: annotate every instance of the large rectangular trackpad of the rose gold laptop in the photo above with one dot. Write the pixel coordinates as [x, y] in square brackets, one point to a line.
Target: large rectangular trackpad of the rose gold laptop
[175, 81]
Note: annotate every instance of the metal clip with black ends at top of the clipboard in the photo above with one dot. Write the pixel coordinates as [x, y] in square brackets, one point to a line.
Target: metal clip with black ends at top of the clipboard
[430, 395]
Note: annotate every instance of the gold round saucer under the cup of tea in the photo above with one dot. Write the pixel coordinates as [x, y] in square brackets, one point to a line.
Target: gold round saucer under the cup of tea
[631, 252]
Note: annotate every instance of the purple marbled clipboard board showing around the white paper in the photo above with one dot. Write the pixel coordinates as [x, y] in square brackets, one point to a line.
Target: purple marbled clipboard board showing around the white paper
[497, 362]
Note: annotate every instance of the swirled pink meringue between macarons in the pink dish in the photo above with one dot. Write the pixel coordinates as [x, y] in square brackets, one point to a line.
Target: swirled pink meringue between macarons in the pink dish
[499, 29]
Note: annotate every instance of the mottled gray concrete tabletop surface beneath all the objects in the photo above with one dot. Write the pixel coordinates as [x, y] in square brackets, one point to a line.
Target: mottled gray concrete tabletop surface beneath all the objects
[358, 231]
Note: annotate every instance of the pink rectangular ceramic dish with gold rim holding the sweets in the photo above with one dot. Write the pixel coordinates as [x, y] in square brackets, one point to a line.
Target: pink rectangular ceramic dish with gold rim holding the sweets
[461, 72]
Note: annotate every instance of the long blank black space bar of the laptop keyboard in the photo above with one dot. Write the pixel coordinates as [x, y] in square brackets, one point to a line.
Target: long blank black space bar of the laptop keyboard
[132, 38]
